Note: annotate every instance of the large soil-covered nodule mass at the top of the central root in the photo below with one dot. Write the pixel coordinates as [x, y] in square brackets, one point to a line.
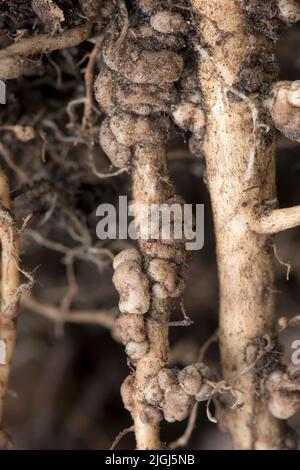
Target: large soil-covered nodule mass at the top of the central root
[146, 79]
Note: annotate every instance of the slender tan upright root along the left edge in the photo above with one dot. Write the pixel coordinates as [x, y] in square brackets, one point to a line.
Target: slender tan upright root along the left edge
[10, 284]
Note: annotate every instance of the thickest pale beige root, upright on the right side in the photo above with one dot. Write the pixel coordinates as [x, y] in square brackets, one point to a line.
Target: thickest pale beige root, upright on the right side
[240, 154]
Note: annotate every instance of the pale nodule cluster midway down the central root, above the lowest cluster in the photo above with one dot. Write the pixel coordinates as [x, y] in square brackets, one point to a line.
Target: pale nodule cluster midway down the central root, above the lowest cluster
[137, 284]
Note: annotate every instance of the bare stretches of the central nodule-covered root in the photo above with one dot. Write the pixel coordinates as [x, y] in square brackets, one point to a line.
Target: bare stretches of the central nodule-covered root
[151, 185]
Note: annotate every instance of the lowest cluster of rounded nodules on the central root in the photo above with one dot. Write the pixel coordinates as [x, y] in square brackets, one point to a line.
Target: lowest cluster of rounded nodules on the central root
[171, 394]
